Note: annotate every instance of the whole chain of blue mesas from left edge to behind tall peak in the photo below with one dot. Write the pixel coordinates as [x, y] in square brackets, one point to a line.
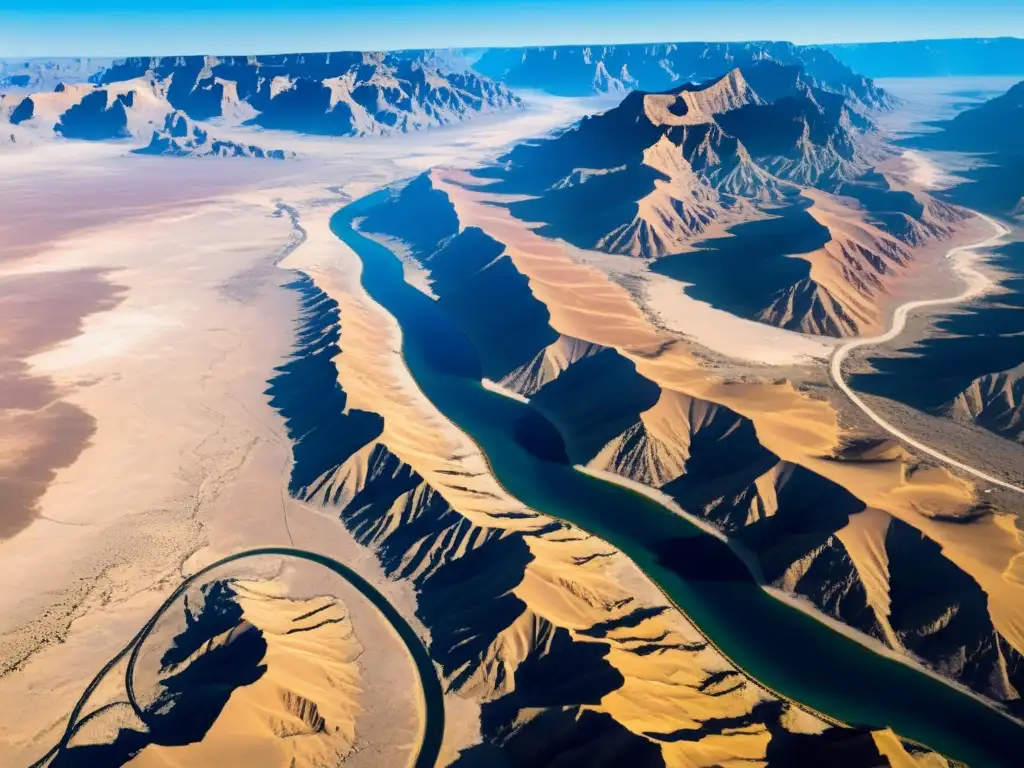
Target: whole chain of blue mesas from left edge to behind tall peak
[358, 95]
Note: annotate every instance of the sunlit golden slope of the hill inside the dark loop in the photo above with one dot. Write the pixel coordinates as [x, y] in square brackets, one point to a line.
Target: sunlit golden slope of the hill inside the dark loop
[303, 711]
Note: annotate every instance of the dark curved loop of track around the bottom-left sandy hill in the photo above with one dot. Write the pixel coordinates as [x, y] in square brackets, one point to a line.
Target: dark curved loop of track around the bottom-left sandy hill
[432, 694]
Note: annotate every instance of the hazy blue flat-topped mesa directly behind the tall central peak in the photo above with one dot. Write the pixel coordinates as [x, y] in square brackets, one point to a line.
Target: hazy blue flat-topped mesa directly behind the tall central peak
[575, 71]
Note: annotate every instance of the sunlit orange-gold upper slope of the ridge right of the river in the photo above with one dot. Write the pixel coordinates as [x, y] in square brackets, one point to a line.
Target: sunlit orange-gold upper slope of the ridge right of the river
[584, 304]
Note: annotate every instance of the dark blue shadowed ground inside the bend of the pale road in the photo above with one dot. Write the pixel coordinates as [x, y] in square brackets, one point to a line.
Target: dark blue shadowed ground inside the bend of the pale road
[984, 337]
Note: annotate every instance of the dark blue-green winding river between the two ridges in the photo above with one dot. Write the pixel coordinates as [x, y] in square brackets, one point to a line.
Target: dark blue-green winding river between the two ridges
[785, 650]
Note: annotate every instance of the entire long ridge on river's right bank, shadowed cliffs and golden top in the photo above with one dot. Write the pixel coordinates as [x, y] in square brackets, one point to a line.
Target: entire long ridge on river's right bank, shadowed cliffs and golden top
[846, 521]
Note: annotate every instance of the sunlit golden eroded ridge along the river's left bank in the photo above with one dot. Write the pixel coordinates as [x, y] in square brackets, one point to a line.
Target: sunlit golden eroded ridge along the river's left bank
[572, 585]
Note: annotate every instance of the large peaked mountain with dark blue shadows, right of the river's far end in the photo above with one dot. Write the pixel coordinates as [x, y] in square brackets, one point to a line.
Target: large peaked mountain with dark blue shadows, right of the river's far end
[665, 174]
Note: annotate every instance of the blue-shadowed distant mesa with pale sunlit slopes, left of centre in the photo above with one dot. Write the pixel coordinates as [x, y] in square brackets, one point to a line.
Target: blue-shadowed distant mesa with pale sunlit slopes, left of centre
[342, 95]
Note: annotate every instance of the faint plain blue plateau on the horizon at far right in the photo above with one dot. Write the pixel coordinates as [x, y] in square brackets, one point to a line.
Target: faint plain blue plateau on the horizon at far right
[918, 59]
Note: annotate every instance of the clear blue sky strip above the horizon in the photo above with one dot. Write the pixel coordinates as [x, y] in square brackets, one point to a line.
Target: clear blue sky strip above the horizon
[53, 28]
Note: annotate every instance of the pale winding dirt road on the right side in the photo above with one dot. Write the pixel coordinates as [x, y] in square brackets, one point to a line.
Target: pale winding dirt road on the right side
[975, 285]
